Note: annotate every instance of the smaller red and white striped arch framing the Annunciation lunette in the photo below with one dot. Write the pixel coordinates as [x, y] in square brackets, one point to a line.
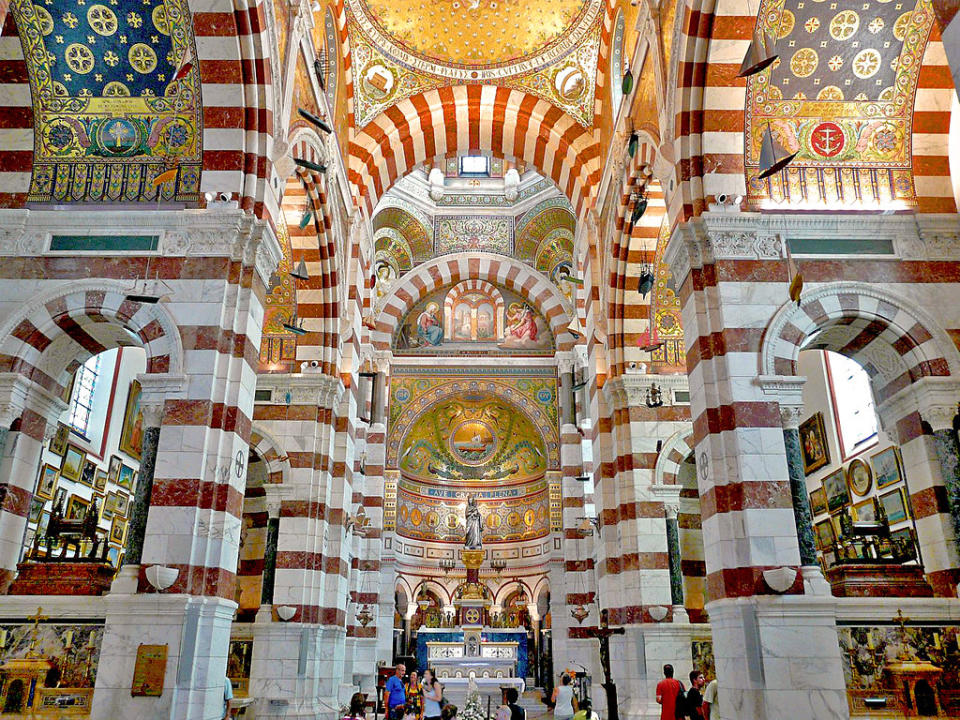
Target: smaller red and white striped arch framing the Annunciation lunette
[494, 269]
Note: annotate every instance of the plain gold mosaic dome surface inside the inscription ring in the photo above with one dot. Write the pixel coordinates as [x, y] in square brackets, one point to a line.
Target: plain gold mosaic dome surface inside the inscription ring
[476, 33]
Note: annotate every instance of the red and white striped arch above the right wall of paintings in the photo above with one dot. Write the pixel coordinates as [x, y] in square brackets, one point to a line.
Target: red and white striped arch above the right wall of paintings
[873, 315]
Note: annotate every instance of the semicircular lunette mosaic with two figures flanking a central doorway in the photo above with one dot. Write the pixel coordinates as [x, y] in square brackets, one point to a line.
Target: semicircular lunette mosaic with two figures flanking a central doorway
[473, 318]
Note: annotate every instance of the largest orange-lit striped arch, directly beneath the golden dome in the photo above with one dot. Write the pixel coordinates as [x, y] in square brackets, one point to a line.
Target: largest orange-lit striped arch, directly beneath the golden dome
[508, 123]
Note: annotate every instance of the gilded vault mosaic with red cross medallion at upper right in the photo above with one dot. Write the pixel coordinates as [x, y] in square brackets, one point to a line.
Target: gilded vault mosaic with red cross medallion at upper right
[842, 96]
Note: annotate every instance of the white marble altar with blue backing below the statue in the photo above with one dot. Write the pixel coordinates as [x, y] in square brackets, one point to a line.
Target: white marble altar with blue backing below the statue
[499, 654]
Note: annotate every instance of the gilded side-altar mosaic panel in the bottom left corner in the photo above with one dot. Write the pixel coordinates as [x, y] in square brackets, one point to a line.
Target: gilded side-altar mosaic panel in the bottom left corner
[48, 668]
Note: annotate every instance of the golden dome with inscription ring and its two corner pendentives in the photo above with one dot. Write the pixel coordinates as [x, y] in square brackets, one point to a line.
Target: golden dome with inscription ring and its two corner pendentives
[550, 50]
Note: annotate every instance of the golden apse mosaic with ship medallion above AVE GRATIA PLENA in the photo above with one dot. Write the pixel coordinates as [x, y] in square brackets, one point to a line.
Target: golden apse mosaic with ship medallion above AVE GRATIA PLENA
[462, 425]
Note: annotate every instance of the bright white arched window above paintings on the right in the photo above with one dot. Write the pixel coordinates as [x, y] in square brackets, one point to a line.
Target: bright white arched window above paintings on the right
[853, 406]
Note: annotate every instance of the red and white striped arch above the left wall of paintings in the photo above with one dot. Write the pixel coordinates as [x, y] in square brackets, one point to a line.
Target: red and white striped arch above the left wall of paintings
[50, 337]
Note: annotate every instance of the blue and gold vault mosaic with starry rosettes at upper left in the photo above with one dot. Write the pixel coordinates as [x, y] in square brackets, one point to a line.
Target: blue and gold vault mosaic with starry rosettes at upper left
[110, 112]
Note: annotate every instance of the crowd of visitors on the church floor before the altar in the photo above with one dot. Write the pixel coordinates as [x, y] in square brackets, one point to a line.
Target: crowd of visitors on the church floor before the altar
[407, 697]
